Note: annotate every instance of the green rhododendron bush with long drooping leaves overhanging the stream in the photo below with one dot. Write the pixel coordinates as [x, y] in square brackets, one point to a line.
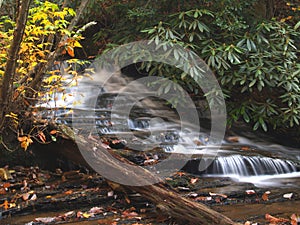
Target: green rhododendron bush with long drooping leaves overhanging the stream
[256, 62]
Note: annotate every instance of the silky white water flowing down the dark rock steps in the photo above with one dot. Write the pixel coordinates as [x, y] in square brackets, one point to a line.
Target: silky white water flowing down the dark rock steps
[151, 123]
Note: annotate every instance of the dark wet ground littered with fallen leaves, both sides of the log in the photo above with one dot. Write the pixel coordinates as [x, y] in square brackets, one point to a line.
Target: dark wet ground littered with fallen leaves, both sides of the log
[31, 196]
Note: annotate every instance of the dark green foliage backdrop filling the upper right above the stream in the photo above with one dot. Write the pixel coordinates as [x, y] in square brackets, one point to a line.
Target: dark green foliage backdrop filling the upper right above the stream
[254, 57]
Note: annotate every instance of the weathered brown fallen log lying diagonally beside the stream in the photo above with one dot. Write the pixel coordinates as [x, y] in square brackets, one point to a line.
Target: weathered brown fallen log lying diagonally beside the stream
[167, 201]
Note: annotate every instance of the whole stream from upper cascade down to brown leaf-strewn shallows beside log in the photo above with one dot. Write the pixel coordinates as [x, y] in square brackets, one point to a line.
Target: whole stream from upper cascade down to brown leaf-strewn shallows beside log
[239, 163]
